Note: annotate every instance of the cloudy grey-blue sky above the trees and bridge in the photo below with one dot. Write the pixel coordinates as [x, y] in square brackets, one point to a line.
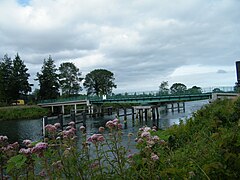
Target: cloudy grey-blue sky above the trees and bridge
[143, 42]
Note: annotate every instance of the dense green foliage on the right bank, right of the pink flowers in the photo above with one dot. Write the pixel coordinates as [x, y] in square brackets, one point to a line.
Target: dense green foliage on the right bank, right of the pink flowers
[206, 146]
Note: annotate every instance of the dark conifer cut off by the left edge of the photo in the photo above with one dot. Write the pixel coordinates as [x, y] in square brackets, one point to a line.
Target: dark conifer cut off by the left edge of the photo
[5, 79]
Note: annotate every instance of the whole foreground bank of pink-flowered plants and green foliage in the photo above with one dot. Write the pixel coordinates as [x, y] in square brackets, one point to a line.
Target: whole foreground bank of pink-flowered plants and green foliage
[206, 146]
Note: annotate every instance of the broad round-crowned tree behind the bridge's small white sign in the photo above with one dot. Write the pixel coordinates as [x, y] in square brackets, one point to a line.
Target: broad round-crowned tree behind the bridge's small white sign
[99, 82]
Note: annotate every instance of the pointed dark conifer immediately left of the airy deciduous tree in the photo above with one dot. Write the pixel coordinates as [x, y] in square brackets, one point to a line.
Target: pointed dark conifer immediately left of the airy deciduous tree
[48, 80]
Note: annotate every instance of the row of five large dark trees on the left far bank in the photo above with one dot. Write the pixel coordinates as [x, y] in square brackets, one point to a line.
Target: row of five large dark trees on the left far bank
[65, 80]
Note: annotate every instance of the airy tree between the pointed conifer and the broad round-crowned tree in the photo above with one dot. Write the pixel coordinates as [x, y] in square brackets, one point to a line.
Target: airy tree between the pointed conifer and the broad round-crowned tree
[69, 78]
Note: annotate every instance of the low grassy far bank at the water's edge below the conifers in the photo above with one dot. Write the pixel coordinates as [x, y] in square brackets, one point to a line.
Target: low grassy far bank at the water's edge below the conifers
[22, 112]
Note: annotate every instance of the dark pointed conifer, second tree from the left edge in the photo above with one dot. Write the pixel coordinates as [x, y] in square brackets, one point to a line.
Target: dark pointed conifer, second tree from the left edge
[19, 79]
